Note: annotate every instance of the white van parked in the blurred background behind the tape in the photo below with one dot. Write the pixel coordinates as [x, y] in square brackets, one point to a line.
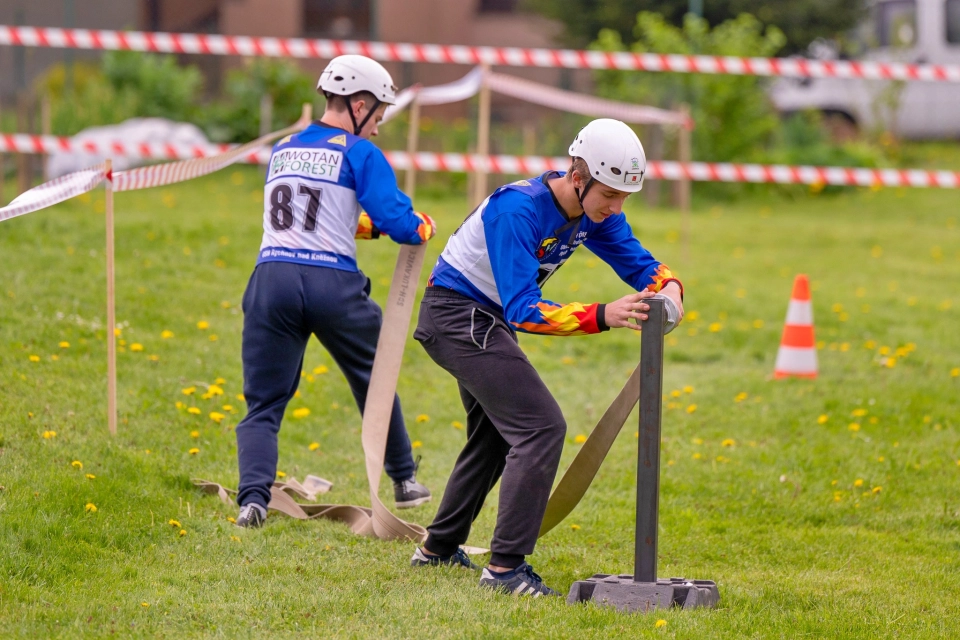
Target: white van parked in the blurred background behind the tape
[919, 31]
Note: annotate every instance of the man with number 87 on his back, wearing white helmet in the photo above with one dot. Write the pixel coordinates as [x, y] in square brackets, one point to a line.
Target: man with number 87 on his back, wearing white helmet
[306, 280]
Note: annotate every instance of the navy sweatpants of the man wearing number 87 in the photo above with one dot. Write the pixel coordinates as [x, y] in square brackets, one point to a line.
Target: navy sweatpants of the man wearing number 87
[283, 305]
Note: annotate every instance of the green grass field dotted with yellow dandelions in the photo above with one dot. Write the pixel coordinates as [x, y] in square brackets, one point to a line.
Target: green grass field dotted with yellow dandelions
[824, 509]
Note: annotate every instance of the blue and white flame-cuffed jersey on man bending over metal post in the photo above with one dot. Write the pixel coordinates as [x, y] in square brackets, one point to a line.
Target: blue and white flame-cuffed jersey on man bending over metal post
[506, 250]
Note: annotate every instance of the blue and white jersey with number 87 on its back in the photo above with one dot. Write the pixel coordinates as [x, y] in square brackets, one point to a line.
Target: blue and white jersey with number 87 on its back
[318, 181]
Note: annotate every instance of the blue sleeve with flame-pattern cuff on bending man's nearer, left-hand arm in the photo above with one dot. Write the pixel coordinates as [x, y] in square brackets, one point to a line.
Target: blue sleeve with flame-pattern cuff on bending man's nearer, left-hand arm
[512, 238]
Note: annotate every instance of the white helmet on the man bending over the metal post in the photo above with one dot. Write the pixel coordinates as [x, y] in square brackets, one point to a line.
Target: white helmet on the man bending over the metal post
[613, 154]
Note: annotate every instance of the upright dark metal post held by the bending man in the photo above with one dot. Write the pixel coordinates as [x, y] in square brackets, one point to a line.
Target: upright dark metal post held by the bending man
[648, 454]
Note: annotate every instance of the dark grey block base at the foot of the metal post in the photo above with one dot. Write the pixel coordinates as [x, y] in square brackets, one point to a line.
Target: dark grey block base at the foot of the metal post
[621, 592]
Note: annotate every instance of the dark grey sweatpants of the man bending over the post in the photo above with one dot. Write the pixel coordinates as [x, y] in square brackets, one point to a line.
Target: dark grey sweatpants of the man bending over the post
[514, 427]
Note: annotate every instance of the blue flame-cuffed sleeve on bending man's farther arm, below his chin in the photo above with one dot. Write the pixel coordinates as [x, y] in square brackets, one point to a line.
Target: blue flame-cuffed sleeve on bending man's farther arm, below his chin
[614, 243]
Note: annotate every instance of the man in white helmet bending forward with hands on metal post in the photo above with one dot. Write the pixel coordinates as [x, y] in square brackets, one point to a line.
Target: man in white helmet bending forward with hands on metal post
[485, 287]
